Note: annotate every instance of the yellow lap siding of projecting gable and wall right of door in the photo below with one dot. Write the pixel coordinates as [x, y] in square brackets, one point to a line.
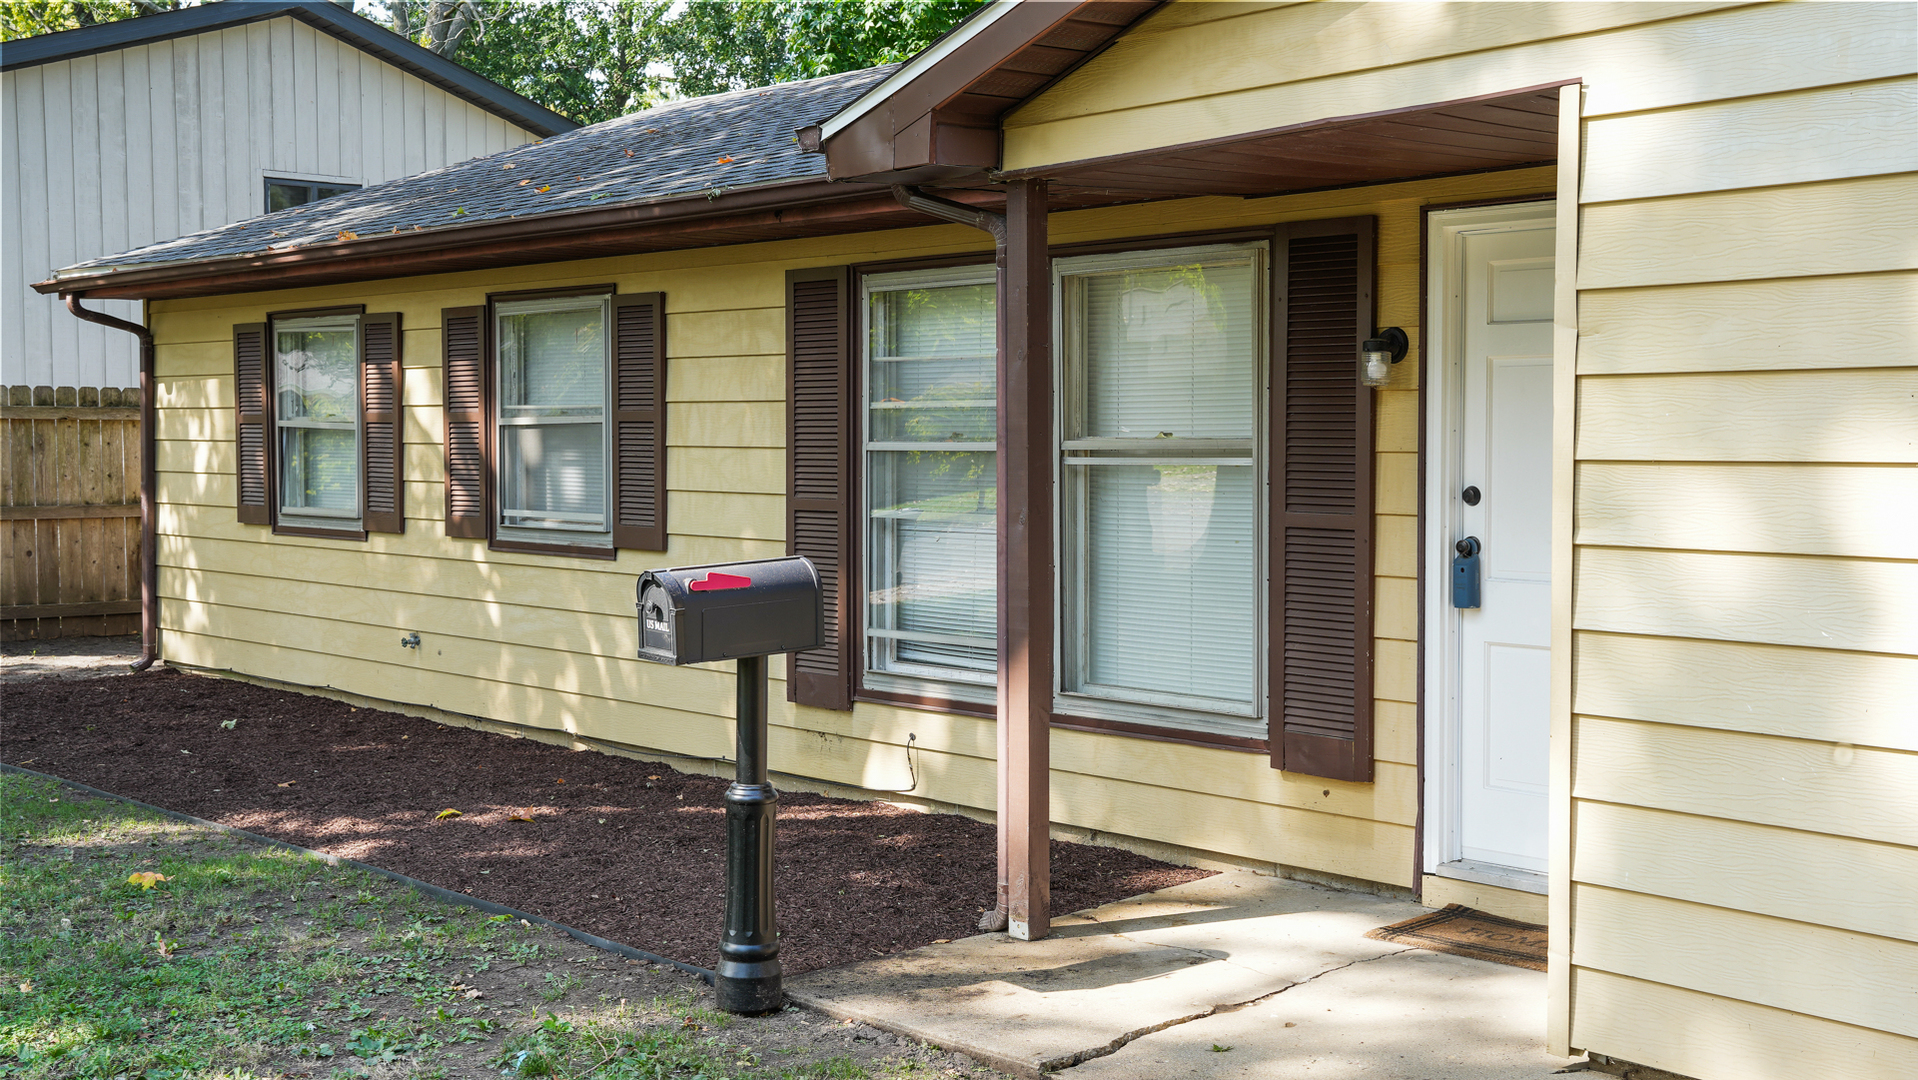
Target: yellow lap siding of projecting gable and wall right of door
[1733, 889]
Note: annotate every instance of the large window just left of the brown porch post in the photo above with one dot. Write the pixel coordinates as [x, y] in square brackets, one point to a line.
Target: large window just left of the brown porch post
[931, 534]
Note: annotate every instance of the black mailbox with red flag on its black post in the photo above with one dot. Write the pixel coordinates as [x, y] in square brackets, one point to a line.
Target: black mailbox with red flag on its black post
[739, 611]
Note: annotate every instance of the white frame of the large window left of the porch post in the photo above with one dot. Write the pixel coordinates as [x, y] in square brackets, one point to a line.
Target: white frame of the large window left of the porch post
[906, 678]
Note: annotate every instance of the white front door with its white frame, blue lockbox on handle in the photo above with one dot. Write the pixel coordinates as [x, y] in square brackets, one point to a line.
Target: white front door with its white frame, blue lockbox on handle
[1497, 490]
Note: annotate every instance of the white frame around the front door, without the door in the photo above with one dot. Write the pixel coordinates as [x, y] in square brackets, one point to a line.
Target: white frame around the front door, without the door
[1441, 423]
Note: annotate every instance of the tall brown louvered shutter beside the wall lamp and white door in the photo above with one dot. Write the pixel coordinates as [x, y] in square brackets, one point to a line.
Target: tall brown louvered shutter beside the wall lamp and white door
[1321, 667]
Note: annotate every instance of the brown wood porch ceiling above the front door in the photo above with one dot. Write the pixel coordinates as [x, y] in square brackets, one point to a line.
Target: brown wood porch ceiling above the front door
[1457, 137]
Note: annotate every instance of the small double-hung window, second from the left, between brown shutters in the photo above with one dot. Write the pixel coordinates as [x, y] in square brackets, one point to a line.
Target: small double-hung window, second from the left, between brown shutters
[551, 421]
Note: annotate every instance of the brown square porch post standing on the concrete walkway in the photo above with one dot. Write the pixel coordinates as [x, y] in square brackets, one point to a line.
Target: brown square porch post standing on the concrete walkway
[1025, 369]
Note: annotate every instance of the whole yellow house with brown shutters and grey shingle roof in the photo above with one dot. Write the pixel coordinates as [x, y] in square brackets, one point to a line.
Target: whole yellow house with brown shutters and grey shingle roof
[1447, 450]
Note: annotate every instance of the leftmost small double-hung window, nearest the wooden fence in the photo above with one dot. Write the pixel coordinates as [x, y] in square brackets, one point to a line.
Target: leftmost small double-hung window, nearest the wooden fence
[317, 417]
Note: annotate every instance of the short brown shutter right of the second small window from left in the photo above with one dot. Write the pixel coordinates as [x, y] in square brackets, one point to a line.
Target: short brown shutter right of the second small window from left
[640, 421]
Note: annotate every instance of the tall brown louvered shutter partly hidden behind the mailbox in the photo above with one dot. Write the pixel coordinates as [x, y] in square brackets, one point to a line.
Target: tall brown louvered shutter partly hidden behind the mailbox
[820, 471]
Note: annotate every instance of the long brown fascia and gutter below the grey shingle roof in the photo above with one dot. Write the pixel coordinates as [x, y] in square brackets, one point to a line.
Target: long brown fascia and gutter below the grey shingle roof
[799, 208]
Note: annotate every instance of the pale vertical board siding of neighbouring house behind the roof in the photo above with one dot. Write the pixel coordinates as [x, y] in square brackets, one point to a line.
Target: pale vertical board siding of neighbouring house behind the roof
[133, 147]
